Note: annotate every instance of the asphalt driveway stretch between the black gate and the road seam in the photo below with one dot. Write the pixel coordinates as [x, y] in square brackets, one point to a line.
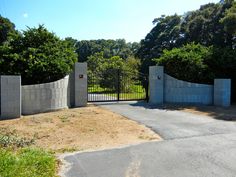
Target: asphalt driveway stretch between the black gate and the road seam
[171, 124]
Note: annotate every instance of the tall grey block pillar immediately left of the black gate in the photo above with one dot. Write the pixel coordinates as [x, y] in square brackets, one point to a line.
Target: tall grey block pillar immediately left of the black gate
[80, 78]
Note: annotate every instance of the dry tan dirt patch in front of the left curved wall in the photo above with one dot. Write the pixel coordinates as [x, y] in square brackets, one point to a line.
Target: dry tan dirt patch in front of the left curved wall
[88, 128]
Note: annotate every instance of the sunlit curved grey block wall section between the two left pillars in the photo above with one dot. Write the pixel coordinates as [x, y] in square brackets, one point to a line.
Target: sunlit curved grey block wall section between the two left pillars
[45, 97]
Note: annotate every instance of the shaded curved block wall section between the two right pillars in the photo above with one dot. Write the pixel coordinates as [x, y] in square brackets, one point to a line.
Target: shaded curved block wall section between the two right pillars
[177, 91]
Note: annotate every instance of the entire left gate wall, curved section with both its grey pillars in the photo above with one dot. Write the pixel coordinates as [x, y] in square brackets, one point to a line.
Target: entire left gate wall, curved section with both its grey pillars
[70, 91]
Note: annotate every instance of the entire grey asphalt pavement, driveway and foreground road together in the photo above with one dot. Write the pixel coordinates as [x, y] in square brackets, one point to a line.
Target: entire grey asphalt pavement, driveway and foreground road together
[193, 146]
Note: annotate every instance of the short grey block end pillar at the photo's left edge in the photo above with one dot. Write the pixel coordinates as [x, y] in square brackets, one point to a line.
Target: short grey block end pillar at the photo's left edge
[10, 97]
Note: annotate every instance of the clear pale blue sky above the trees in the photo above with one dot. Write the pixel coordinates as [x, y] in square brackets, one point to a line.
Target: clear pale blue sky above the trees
[94, 19]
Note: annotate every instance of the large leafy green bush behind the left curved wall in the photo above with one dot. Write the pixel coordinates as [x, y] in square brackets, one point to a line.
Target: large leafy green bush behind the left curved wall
[37, 55]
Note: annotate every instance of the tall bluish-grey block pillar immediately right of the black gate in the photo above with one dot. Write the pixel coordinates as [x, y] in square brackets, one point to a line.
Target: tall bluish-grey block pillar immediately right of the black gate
[156, 84]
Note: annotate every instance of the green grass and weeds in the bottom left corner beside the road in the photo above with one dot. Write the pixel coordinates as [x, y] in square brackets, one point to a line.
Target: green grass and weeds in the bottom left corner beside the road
[17, 159]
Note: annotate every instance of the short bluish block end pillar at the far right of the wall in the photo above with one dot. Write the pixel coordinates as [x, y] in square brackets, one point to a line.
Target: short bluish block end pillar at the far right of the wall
[222, 92]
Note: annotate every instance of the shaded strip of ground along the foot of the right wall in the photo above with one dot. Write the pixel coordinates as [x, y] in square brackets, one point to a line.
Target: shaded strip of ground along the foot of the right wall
[220, 113]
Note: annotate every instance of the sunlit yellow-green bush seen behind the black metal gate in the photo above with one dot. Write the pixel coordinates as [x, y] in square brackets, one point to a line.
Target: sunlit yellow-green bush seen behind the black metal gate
[106, 71]
